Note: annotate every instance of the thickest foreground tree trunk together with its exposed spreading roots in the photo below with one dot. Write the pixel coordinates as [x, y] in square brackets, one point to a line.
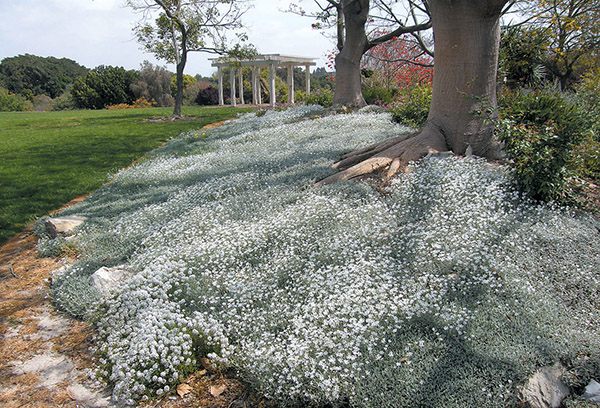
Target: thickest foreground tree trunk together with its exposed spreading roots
[466, 38]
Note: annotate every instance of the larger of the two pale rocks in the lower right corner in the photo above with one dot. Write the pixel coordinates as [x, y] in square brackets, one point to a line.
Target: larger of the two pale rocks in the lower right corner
[545, 389]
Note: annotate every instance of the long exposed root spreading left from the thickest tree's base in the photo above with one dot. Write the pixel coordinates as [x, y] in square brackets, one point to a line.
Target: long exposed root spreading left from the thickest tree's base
[393, 154]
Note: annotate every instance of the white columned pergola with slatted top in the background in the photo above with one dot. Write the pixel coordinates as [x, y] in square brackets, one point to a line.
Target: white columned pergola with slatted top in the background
[257, 63]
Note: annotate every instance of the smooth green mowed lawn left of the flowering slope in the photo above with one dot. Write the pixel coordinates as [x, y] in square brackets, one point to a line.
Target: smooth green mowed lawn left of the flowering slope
[49, 158]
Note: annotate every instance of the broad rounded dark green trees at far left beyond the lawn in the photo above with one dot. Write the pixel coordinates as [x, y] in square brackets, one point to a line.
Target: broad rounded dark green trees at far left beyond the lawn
[33, 75]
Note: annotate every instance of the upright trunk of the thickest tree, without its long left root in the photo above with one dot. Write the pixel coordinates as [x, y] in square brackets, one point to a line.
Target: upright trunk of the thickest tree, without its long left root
[467, 39]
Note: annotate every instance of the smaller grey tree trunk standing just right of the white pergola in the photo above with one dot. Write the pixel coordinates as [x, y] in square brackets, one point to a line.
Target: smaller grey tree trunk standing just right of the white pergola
[348, 90]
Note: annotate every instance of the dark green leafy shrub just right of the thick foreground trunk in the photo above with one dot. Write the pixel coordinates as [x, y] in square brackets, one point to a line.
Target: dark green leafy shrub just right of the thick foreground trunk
[539, 130]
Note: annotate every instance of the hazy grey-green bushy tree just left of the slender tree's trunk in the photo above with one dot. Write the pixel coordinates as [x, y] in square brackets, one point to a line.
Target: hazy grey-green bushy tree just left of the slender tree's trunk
[154, 84]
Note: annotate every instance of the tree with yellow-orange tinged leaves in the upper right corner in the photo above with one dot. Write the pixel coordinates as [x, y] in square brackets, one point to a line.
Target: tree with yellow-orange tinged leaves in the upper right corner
[571, 29]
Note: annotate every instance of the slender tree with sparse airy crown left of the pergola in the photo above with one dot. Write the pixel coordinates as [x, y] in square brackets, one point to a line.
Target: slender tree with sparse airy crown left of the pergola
[170, 29]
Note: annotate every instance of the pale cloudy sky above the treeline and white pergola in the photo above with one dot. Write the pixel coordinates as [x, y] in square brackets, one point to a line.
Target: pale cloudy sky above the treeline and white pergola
[99, 32]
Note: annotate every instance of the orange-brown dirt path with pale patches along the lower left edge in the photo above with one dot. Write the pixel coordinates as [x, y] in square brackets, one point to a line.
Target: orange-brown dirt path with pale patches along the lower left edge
[44, 356]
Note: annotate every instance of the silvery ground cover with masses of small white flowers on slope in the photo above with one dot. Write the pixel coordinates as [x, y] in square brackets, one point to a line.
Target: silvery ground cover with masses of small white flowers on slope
[447, 290]
